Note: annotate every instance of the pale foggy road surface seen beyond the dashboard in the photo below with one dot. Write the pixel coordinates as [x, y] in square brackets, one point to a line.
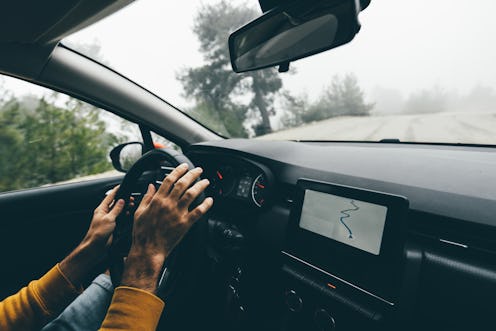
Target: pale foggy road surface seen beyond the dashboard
[446, 127]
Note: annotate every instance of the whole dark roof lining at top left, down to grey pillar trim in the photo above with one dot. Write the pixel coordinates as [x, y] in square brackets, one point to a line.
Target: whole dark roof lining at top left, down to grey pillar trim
[30, 30]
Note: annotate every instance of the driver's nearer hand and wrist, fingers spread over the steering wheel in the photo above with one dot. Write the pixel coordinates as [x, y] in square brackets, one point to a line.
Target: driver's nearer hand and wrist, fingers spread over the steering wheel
[161, 220]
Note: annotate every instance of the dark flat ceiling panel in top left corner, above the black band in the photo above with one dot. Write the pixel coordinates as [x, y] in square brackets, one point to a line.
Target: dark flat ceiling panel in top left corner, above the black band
[47, 22]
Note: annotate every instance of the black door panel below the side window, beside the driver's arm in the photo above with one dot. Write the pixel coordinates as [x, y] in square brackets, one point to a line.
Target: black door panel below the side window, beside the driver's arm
[40, 226]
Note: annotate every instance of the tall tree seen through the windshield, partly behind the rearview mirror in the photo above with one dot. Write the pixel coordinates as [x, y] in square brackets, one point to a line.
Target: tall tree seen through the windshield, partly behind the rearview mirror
[216, 89]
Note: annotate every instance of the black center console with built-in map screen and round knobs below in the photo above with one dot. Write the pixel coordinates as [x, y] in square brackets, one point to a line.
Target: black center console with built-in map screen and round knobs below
[343, 257]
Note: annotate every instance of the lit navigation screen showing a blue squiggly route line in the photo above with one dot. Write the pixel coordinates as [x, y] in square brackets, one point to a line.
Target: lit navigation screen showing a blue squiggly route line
[352, 222]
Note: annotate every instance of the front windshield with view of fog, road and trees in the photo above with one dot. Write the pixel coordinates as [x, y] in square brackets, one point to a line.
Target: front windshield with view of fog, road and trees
[418, 71]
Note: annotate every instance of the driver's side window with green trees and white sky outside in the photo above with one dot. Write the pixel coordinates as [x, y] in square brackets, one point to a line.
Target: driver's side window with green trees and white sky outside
[49, 138]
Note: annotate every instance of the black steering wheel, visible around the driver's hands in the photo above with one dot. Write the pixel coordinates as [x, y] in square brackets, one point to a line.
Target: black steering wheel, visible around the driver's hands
[183, 257]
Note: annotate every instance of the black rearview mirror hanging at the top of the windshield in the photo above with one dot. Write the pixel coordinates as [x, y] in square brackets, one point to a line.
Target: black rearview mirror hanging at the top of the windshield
[291, 32]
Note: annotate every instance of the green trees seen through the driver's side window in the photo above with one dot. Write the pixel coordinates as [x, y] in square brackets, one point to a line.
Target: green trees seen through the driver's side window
[50, 143]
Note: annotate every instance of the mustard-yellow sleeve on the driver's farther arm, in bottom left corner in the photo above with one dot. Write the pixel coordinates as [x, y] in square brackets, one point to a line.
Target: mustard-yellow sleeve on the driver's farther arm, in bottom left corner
[38, 303]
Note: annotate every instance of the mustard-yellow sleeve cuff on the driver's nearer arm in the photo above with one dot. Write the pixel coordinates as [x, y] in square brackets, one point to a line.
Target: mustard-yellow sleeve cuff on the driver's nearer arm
[133, 309]
